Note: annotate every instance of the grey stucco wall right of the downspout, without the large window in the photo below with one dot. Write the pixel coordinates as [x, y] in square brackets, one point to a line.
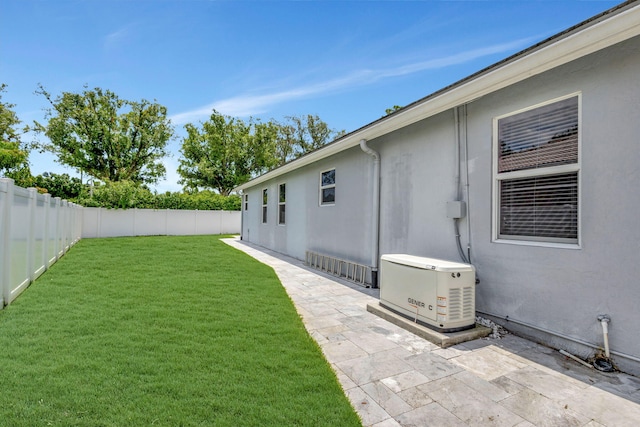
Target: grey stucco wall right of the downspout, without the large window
[558, 290]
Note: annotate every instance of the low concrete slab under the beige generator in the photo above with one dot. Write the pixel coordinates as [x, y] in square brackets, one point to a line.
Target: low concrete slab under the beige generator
[443, 340]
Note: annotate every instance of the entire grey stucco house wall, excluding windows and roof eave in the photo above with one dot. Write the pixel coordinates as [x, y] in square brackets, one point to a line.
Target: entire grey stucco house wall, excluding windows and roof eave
[551, 293]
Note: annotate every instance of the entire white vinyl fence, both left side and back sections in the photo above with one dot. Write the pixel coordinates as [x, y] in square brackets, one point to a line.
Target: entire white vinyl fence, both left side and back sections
[37, 229]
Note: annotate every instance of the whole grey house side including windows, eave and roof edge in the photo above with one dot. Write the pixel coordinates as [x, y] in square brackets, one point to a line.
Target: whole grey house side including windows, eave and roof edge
[538, 156]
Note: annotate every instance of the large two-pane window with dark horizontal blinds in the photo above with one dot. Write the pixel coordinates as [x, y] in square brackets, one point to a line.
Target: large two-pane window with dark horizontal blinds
[536, 173]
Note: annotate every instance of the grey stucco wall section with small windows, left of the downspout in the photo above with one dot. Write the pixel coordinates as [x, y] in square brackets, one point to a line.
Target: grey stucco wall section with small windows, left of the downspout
[342, 230]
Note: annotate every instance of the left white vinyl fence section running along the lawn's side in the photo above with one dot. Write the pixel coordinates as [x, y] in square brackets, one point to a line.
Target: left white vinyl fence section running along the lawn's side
[35, 231]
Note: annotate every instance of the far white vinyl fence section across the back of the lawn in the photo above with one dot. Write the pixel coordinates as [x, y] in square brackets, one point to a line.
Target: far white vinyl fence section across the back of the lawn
[101, 222]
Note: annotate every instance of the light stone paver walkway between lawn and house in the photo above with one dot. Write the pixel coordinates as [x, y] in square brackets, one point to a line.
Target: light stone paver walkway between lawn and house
[394, 378]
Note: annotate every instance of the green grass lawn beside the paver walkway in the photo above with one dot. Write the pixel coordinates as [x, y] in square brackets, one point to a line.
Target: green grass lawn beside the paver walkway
[168, 331]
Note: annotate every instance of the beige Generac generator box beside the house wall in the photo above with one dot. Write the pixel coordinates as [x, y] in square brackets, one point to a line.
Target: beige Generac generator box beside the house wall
[436, 293]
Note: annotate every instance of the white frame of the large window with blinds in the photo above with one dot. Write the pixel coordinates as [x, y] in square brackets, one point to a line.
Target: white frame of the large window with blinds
[541, 171]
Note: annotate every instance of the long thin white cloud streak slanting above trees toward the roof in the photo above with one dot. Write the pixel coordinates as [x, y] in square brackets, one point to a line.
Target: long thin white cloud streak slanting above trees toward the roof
[246, 105]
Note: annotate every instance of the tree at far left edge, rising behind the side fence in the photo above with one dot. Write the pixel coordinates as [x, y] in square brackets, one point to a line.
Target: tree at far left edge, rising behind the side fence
[13, 155]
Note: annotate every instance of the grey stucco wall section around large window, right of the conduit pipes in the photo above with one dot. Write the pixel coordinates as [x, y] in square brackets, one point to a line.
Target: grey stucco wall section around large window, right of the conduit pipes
[558, 289]
